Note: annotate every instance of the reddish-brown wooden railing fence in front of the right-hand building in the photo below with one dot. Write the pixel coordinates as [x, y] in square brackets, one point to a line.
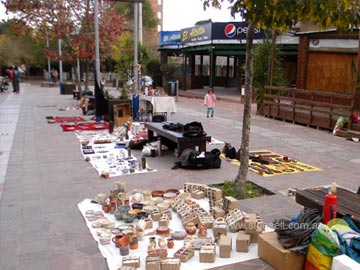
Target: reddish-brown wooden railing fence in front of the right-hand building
[311, 108]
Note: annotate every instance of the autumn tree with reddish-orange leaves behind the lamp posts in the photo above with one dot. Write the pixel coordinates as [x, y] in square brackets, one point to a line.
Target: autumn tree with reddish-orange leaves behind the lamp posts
[72, 21]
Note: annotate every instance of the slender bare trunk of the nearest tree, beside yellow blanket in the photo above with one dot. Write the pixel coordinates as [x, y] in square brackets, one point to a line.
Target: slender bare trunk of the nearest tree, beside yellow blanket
[241, 177]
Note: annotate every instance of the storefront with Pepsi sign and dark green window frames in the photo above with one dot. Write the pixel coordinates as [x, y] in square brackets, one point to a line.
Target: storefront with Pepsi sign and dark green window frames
[213, 54]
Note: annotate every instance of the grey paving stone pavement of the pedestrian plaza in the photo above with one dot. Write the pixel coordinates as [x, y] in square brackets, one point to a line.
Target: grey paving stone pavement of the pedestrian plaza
[43, 174]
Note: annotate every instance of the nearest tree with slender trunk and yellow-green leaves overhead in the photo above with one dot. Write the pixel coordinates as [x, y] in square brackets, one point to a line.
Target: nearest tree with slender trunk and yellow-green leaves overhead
[280, 15]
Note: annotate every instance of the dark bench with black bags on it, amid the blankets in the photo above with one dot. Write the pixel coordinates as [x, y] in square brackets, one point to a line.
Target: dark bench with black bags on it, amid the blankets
[176, 138]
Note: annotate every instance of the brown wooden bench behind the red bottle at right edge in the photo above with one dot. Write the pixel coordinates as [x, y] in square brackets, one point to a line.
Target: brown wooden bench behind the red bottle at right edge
[348, 201]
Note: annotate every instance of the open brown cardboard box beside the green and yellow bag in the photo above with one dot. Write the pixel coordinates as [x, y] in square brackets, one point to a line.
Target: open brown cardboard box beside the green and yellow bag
[271, 251]
